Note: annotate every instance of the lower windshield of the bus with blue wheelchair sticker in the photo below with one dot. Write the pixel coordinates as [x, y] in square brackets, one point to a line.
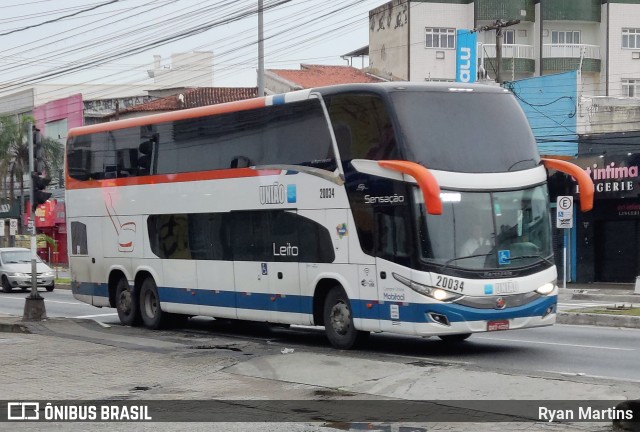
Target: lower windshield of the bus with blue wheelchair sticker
[487, 230]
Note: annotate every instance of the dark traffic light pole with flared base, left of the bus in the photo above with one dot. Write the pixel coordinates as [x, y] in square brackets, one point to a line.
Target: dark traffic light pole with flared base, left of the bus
[34, 309]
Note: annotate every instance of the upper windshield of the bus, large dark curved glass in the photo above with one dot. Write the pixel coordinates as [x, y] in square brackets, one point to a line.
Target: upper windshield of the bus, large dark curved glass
[469, 132]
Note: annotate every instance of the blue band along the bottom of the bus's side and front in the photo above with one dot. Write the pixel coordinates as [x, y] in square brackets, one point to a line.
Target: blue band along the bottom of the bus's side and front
[366, 309]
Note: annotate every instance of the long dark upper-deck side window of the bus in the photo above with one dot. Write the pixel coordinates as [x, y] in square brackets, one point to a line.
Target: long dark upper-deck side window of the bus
[288, 134]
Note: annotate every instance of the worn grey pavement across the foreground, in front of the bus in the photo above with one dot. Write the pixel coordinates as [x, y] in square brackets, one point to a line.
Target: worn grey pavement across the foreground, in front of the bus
[78, 359]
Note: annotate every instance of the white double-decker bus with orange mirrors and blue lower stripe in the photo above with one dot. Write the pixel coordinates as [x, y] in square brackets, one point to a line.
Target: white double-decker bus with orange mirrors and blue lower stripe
[351, 207]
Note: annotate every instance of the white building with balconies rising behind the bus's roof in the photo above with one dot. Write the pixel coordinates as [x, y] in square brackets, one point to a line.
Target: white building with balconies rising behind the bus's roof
[415, 40]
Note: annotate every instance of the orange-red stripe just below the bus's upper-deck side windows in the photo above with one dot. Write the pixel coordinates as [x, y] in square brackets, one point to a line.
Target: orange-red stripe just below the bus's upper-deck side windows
[170, 178]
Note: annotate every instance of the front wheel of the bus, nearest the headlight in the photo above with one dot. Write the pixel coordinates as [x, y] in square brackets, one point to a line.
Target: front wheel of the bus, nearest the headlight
[338, 321]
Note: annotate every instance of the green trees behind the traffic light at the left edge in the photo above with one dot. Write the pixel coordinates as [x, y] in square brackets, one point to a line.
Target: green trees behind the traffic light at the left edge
[14, 153]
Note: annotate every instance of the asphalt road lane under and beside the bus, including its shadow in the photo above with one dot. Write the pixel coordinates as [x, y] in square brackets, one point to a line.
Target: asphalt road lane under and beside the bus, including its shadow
[600, 352]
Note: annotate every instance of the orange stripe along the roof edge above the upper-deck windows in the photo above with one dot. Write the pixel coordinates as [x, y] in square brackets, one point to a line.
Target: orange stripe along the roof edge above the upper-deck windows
[224, 108]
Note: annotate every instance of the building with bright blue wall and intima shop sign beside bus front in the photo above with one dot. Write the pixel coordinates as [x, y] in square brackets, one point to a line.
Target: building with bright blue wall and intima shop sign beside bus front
[602, 135]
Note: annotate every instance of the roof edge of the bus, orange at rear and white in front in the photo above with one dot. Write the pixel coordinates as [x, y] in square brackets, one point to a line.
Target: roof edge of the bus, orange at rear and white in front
[294, 96]
